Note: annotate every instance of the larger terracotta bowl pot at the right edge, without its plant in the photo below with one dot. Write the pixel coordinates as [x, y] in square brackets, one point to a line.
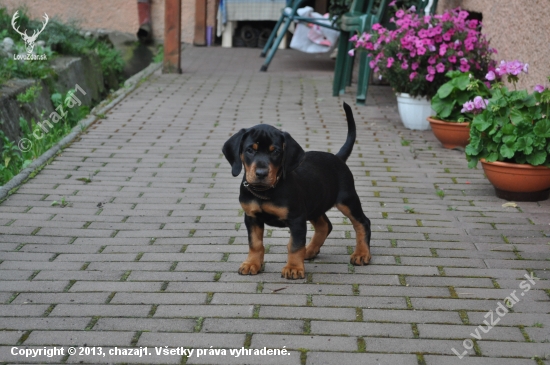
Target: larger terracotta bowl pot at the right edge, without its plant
[521, 182]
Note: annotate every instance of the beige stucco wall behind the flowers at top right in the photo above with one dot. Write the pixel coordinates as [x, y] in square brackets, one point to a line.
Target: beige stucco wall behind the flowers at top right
[517, 29]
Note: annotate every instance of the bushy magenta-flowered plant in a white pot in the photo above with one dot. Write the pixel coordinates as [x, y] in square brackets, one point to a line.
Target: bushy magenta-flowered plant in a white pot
[415, 56]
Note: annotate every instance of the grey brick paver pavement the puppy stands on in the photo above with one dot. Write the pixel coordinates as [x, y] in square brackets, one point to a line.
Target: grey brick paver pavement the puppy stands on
[147, 253]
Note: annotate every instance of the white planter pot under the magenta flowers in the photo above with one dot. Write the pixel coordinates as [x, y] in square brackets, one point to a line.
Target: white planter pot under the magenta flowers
[414, 111]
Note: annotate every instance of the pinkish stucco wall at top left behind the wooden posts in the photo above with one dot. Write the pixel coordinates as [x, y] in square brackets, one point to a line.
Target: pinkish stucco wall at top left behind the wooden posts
[119, 15]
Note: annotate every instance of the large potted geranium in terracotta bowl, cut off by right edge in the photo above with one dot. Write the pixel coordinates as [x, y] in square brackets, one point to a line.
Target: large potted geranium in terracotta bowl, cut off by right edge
[511, 138]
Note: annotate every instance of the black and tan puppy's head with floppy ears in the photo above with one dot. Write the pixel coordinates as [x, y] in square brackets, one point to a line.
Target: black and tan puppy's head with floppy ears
[265, 152]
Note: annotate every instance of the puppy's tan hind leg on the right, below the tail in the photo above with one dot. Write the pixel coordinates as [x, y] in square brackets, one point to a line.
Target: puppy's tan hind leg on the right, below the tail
[361, 255]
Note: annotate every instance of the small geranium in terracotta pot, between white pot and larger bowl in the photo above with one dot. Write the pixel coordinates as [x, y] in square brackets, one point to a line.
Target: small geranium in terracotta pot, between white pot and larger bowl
[455, 104]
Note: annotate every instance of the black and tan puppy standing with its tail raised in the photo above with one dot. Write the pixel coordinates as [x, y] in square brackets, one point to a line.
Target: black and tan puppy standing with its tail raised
[283, 186]
